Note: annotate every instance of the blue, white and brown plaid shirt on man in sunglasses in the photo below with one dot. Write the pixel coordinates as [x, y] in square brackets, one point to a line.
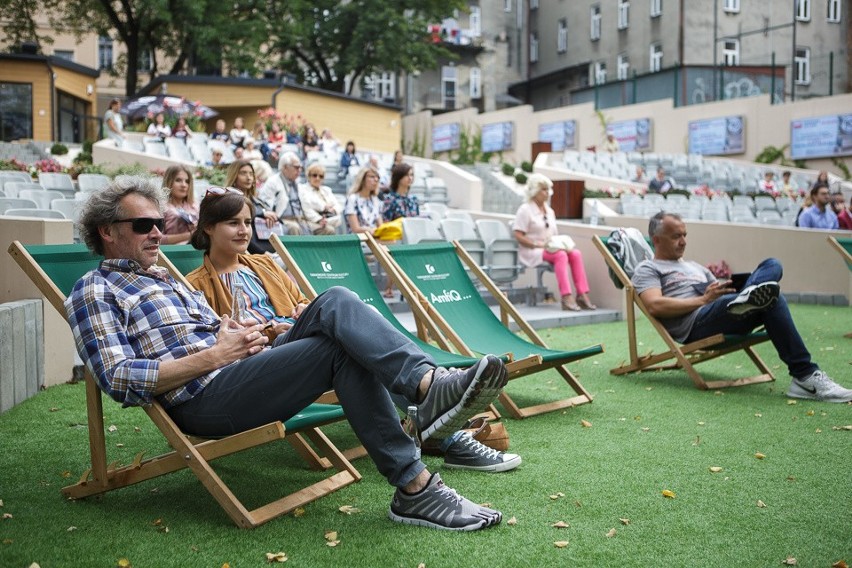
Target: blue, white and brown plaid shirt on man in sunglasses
[126, 320]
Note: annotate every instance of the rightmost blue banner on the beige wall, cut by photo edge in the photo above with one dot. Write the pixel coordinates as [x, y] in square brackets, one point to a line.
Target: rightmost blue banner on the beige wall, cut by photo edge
[821, 136]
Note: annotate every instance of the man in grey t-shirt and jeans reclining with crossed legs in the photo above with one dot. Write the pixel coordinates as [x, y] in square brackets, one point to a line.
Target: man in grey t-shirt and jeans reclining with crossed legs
[692, 304]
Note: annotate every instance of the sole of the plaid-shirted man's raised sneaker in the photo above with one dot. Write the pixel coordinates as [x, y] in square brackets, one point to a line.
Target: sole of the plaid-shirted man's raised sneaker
[491, 376]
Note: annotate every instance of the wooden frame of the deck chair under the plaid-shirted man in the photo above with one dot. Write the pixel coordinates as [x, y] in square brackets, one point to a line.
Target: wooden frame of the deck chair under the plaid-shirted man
[102, 477]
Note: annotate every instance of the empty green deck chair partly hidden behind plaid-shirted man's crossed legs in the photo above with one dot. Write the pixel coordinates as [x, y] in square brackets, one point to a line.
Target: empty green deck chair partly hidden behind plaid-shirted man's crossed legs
[318, 263]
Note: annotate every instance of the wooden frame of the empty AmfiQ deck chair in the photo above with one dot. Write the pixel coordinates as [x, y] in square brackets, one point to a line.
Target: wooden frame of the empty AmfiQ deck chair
[527, 366]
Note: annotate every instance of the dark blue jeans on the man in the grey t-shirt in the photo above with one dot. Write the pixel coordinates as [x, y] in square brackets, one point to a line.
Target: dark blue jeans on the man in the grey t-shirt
[714, 318]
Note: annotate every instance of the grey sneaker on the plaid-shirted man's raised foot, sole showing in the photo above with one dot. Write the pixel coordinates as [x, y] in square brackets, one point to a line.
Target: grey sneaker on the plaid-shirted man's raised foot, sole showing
[457, 394]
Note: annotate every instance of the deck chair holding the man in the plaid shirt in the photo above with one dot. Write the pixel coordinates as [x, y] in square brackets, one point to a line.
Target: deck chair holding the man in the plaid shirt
[54, 269]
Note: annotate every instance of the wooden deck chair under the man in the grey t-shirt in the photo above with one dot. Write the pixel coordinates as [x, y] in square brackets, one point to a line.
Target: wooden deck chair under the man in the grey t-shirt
[685, 356]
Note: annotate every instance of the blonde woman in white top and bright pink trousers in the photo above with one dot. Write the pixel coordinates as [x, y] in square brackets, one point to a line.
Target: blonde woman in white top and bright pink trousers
[535, 223]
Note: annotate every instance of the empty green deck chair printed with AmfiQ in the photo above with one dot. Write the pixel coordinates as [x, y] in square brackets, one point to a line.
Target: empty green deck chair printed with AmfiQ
[434, 275]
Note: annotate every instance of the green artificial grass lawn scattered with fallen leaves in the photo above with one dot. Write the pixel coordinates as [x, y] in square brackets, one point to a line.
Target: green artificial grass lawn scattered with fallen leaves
[648, 433]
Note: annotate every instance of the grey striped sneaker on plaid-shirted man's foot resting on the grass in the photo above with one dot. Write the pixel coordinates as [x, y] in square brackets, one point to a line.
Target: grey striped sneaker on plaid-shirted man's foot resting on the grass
[440, 507]
